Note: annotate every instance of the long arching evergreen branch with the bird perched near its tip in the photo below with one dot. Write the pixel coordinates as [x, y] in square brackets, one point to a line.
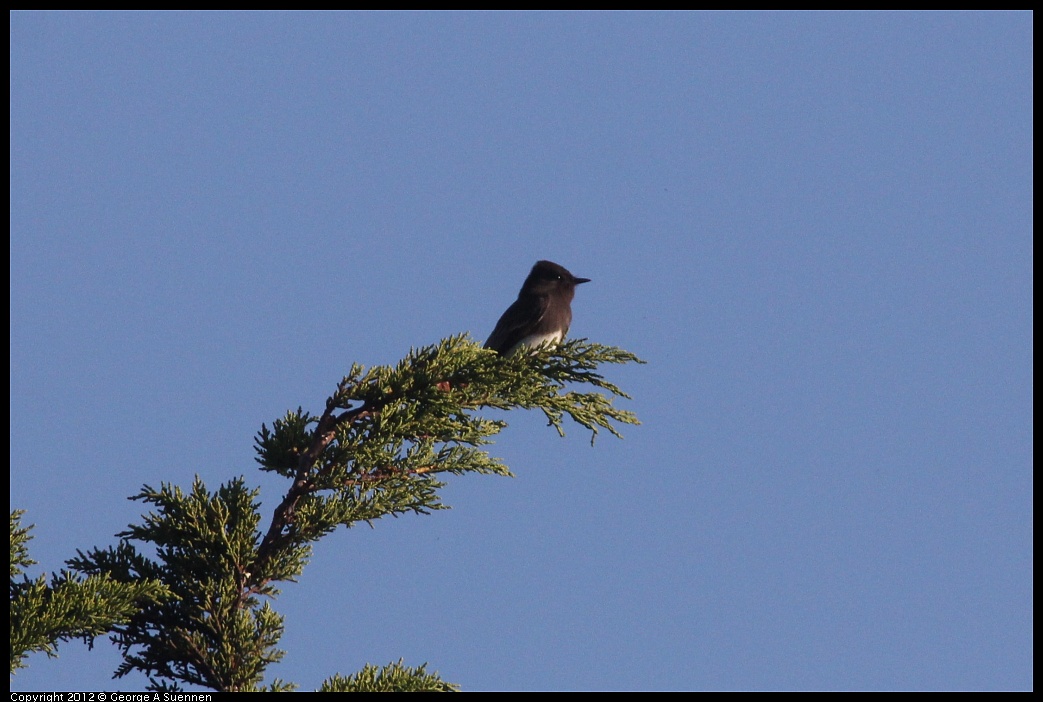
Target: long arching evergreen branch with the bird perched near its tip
[379, 422]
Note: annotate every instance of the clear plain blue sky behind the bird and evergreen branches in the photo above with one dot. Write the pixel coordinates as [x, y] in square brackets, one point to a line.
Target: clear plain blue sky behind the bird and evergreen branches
[815, 228]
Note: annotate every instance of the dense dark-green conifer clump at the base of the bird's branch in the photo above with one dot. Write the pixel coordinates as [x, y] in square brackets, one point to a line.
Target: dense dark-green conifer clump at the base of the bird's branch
[214, 633]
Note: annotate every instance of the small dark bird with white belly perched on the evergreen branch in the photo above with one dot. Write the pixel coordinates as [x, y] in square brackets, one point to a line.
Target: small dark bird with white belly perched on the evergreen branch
[542, 313]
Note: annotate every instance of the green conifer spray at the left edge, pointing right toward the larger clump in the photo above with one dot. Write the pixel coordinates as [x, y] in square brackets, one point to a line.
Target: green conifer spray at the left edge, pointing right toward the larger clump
[70, 608]
